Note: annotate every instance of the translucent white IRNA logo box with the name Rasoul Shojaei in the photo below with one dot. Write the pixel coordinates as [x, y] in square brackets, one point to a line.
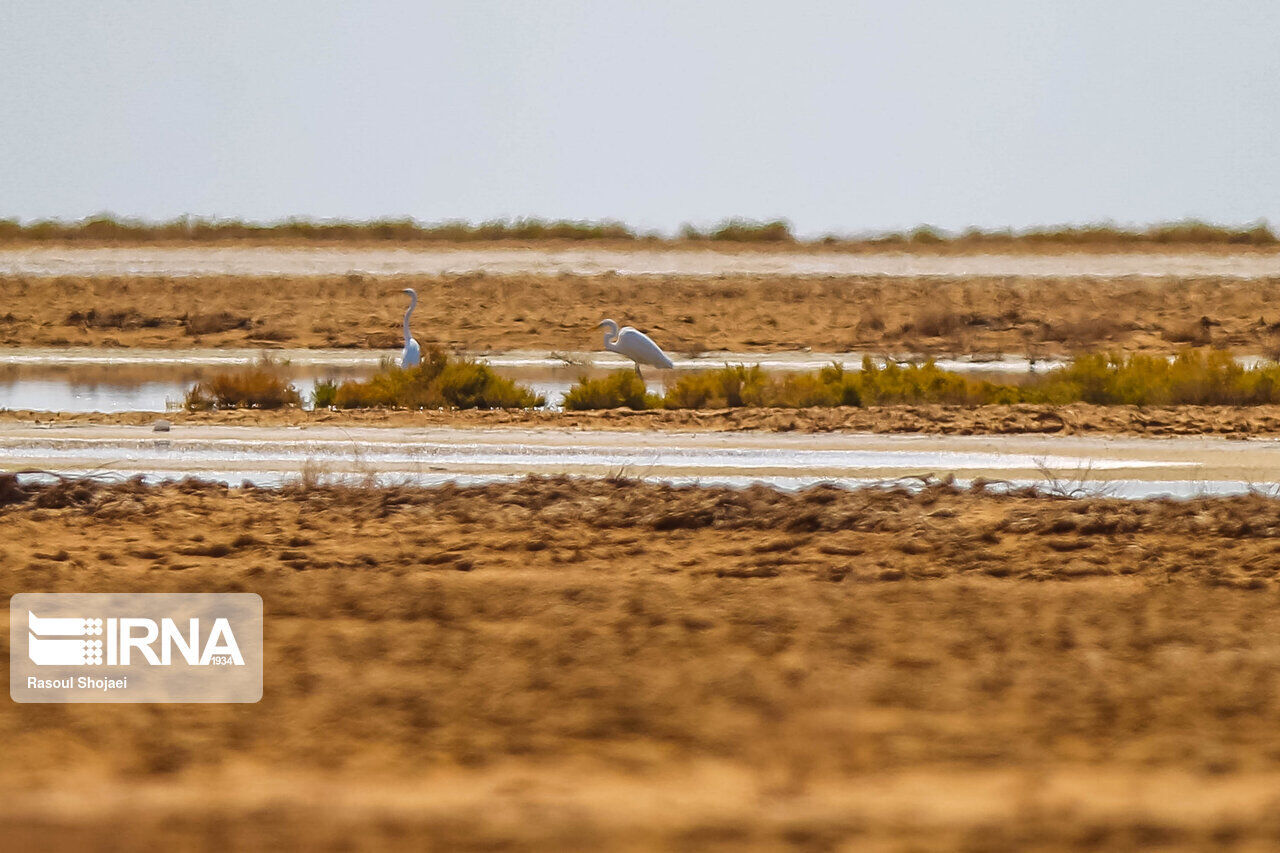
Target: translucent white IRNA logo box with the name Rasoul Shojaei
[136, 647]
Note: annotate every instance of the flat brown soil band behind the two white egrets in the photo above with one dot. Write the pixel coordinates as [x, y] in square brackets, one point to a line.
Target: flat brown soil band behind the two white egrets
[1020, 316]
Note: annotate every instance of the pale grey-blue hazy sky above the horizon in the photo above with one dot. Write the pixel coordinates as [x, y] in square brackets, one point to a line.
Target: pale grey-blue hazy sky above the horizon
[838, 116]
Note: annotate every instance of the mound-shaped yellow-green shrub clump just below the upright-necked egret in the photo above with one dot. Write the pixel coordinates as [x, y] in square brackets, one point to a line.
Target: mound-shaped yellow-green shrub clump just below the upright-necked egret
[440, 382]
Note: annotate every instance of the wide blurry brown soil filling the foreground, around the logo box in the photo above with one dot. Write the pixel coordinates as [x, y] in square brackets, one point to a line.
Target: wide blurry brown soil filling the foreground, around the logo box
[618, 665]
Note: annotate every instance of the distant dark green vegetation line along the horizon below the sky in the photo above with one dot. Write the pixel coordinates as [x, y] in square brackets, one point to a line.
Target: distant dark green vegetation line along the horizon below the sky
[112, 230]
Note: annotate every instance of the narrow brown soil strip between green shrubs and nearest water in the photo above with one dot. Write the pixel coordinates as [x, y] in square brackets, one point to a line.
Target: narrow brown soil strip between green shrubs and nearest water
[1076, 419]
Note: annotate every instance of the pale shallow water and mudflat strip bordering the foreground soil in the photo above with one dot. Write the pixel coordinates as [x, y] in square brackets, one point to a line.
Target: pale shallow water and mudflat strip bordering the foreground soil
[276, 455]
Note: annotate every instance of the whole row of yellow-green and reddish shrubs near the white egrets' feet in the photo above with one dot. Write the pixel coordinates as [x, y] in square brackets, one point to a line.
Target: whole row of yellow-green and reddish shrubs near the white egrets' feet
[1192, 378]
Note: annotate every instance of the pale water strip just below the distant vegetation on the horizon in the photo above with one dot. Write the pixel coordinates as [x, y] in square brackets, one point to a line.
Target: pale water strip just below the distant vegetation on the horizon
[250, 261]
